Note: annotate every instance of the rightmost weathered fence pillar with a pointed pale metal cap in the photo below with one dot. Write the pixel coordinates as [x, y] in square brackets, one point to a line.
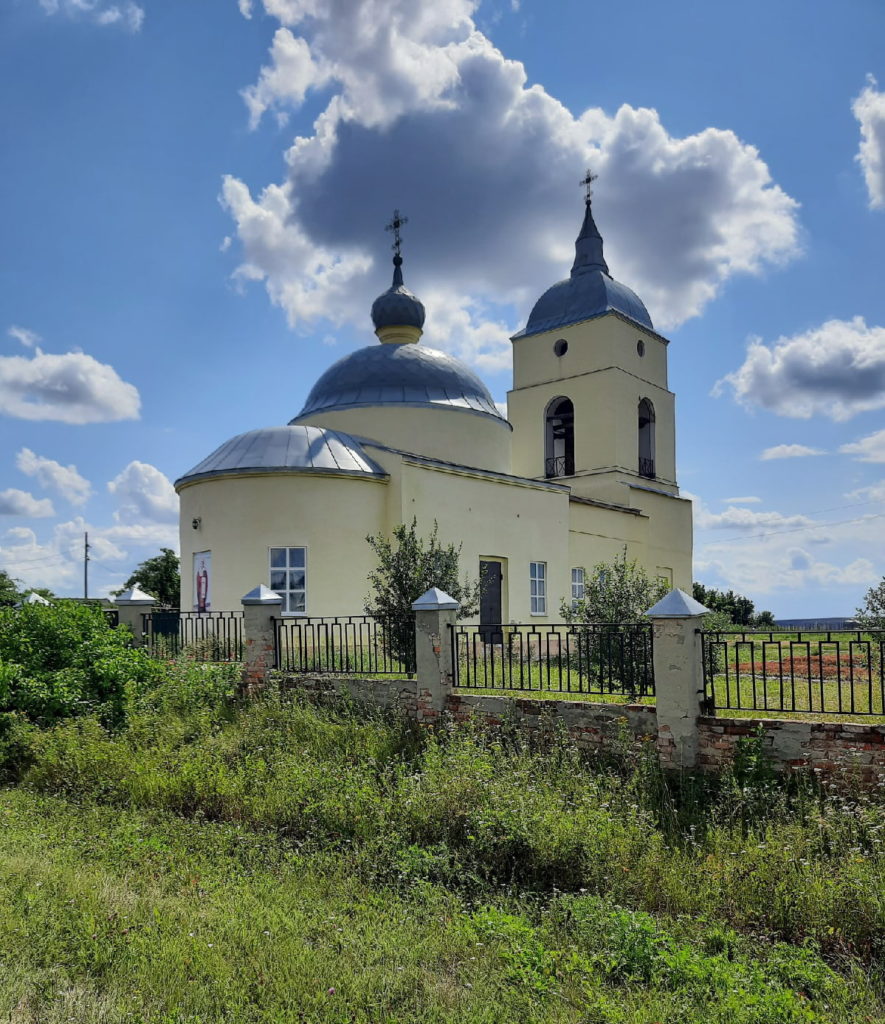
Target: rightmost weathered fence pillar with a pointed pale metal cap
[677, 621]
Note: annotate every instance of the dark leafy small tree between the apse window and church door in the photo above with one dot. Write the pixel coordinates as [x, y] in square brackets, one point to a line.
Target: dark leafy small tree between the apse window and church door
[408, 567]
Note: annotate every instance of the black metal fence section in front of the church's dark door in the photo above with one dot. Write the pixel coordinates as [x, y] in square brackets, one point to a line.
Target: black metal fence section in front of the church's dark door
[608, 660]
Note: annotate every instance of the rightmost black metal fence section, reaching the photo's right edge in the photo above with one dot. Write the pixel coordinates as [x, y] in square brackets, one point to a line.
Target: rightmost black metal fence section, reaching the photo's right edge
[831, 673]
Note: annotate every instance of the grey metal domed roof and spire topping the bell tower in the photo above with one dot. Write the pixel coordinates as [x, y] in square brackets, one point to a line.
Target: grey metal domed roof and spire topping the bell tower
[589, 291]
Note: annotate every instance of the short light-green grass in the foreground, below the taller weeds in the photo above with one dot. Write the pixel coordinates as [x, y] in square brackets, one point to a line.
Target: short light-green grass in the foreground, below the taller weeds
[125, 917]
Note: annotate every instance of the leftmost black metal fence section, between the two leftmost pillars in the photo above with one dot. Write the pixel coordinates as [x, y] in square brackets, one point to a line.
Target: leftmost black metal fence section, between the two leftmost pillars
[203, 636]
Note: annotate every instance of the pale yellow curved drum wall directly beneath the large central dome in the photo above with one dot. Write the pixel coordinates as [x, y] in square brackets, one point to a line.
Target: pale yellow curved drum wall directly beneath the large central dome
[452, 435]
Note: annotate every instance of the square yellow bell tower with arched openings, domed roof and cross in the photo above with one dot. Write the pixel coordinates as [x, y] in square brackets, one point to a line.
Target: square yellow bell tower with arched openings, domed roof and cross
[591, 407]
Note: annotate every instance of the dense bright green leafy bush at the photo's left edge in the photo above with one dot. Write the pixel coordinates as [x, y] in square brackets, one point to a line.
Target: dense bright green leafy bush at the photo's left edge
[66, 661]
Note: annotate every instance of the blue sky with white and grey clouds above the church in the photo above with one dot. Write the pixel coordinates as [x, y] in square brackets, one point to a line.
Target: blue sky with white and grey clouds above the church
[194, 202]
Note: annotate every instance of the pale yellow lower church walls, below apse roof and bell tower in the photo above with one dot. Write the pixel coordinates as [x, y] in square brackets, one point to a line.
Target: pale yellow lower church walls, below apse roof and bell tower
[515, 524]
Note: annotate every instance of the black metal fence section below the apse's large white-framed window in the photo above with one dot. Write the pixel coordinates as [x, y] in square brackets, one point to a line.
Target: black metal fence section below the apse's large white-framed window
[352, 645]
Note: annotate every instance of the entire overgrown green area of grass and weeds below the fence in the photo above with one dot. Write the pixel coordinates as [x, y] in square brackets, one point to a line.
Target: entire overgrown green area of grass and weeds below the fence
[218, 862]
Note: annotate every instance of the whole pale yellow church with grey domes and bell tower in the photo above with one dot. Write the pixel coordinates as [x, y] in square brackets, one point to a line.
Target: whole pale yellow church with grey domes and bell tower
[582, 467]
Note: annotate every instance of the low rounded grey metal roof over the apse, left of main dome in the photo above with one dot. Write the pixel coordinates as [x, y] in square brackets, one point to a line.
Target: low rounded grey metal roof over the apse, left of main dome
[292, 449]
